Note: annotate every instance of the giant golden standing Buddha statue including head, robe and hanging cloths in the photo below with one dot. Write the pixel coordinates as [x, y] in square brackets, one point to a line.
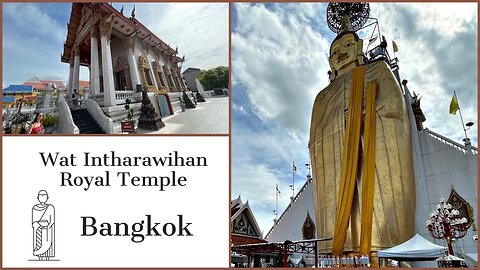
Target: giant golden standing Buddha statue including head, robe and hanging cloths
[393, 188]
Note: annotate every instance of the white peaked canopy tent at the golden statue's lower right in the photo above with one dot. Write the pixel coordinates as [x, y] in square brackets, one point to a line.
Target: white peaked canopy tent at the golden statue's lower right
[415, 249]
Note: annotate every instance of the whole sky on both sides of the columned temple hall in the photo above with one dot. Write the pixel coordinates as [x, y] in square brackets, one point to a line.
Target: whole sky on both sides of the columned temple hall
[33, 36]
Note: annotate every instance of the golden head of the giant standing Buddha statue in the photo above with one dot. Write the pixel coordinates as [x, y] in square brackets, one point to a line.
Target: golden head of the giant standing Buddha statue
[345, 53]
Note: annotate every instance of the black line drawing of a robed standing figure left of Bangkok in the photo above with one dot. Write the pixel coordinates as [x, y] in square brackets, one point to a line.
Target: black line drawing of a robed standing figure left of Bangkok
[43, 223]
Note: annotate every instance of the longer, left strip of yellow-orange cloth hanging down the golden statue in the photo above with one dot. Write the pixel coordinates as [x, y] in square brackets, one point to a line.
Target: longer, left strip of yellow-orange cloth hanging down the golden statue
[349, 168]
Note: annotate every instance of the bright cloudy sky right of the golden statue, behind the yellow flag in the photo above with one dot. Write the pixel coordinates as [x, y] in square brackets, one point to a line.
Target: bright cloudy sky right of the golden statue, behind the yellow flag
[438, 54]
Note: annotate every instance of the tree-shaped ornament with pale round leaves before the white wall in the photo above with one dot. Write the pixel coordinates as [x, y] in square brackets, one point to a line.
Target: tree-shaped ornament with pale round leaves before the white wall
[445, 223]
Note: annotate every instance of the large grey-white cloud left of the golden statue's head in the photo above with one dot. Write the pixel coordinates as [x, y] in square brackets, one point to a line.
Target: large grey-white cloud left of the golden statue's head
[283, 50]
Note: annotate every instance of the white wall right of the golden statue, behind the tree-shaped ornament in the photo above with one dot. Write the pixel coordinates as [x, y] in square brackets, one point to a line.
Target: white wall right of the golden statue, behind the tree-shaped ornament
[446, 166]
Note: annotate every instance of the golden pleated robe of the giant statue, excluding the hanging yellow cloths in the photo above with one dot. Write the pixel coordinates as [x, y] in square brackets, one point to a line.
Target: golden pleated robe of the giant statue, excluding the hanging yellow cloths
[394, 195]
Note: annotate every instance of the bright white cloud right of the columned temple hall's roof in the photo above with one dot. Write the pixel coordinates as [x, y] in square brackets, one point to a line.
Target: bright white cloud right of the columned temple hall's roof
[200, 30]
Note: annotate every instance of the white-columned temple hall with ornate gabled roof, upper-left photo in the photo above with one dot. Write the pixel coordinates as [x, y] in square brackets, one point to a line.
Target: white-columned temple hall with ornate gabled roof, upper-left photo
[123, 57]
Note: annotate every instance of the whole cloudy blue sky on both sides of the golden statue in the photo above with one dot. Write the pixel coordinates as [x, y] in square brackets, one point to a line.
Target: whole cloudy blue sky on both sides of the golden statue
[279, 64]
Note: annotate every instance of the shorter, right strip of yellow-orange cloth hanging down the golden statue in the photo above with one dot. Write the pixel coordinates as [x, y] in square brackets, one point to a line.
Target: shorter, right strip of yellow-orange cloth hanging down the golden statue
[368, 173]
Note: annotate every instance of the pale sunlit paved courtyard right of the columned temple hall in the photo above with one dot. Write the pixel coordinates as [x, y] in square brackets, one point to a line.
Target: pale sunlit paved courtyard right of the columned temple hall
[209, 117]
